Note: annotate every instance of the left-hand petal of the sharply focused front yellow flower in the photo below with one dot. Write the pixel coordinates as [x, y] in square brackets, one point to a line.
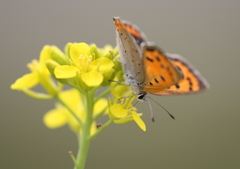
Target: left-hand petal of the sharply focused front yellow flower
[64, 72]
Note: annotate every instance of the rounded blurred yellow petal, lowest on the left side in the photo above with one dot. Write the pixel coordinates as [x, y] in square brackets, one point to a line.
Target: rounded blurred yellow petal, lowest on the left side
[55, 118]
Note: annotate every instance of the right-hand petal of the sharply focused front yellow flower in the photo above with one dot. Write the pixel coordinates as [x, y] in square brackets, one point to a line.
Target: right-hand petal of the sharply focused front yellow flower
[102, 63]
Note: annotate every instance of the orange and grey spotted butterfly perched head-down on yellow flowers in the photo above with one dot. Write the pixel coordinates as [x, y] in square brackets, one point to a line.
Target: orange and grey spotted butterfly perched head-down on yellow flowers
[147, 69]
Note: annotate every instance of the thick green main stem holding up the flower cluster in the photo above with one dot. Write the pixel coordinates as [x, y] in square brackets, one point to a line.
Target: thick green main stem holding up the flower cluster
[84, 141]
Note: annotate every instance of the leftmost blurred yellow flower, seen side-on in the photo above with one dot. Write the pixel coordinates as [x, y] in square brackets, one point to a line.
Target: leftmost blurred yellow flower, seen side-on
[39, 75]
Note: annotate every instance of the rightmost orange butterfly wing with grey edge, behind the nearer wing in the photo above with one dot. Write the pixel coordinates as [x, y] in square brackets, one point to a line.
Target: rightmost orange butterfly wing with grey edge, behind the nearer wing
[192, 82]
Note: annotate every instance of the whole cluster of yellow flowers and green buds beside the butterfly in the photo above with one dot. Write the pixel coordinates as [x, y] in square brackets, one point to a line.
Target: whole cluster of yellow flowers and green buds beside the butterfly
[85, 68]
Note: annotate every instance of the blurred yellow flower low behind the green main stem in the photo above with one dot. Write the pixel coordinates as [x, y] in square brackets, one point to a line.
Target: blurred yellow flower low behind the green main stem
[60, 116]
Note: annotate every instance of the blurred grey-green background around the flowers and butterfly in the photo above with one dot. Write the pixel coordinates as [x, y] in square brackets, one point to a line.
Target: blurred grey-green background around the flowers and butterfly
[206, 132]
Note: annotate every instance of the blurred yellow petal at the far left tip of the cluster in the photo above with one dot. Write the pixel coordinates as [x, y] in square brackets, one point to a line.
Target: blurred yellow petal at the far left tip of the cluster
[27, 81]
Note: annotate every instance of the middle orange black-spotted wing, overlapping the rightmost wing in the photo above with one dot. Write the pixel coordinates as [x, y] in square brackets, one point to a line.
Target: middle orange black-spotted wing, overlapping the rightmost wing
[160, 71]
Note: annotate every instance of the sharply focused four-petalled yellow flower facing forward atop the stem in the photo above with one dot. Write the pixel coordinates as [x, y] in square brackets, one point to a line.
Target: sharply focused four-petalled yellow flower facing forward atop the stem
[87, 70]
